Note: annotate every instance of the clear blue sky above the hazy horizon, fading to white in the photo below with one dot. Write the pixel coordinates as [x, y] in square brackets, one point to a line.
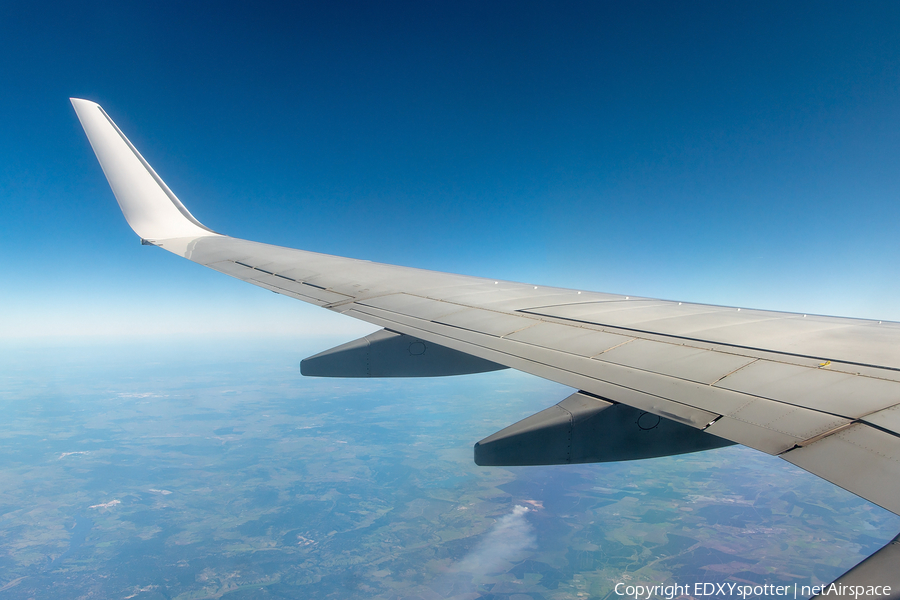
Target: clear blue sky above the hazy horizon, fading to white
[736, 153]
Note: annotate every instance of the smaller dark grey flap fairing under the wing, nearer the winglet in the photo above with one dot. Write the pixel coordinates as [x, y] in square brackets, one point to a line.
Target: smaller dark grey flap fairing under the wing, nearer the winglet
[389, 354]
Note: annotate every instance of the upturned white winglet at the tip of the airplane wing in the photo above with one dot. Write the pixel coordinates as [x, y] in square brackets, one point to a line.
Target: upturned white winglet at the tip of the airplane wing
[149, 206]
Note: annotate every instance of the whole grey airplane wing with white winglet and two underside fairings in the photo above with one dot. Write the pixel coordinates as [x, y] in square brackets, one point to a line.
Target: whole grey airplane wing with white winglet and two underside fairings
[820, 392]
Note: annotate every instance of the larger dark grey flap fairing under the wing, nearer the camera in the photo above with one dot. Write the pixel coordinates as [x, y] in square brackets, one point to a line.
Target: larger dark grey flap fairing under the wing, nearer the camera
[585, 428]
